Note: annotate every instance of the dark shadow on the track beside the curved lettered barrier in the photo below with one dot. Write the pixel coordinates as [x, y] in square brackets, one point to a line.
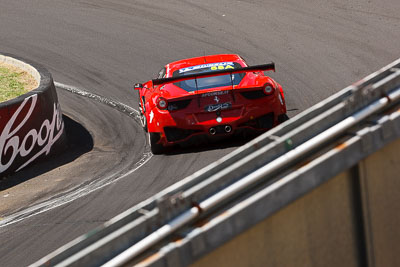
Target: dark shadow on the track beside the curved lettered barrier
[79, 142]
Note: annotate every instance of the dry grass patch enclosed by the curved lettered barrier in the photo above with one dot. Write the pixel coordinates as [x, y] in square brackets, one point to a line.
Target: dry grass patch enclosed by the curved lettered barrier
[14, 82]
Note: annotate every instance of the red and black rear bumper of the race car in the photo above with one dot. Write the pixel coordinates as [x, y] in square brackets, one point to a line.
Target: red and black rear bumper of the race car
[181, 126]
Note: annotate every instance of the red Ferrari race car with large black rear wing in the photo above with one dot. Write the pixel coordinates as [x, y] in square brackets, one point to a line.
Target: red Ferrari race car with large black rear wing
[210, 96]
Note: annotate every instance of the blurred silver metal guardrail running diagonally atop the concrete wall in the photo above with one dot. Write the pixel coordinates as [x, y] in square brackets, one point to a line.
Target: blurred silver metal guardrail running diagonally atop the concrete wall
[261, 160]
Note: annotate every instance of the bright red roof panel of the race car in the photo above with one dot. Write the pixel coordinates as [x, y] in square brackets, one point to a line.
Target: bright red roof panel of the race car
[173, 66]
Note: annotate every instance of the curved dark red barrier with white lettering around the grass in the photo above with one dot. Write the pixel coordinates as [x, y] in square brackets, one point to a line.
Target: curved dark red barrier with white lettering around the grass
[31, 125]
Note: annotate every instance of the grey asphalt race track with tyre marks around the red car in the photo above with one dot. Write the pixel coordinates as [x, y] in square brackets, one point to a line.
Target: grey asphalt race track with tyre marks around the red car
[104, 46]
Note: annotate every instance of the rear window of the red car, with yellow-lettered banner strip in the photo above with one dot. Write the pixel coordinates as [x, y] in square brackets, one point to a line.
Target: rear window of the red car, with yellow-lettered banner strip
[208, 82]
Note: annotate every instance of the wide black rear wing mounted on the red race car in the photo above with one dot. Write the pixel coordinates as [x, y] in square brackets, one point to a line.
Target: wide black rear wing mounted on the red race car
[264, 67]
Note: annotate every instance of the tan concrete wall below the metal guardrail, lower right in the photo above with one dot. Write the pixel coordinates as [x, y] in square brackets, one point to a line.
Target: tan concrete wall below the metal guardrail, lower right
[351, 220]
